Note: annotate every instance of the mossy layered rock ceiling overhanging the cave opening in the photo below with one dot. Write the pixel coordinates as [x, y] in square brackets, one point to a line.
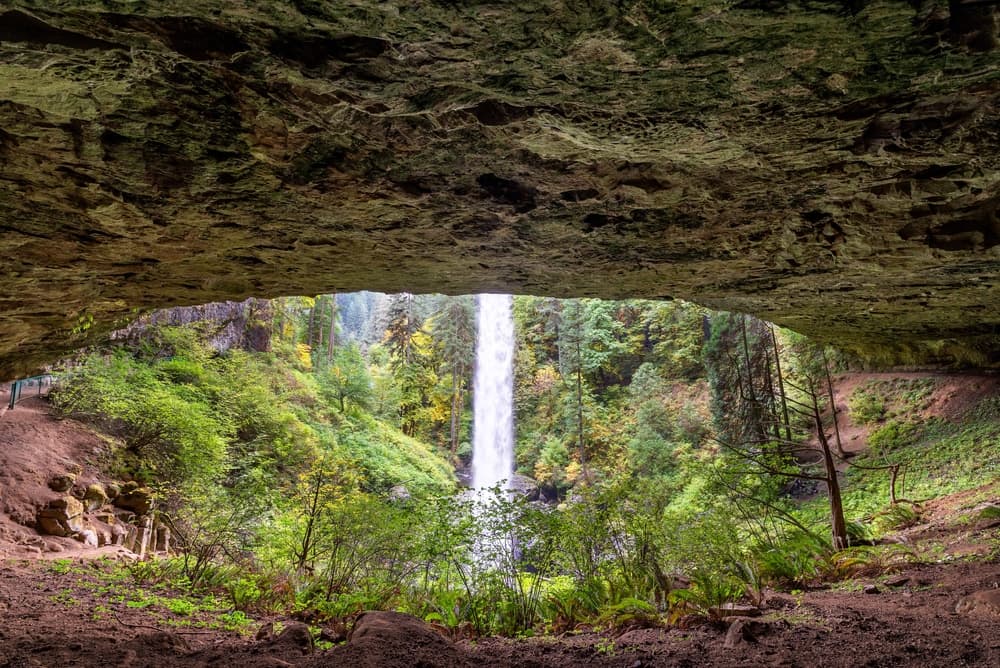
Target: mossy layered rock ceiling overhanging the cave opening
[831, 167]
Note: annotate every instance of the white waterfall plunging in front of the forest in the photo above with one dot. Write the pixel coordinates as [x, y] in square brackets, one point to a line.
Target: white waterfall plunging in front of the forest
[493, 393]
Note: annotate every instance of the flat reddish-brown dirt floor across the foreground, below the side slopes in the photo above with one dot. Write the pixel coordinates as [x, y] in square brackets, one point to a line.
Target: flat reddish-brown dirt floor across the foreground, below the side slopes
[52, 620]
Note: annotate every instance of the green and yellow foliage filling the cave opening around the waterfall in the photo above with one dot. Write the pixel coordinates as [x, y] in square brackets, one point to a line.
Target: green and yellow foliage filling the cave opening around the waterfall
[284, 472]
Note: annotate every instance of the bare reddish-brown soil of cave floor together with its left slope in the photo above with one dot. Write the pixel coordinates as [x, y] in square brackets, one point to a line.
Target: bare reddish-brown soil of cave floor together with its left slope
[55, 616]
